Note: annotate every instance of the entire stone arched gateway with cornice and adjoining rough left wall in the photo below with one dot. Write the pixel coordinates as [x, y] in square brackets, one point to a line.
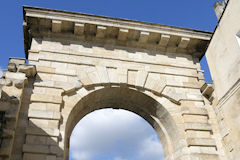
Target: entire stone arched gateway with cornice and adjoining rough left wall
[79, 63]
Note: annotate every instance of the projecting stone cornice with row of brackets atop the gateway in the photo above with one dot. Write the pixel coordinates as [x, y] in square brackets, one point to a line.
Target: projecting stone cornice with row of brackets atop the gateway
[48, 22]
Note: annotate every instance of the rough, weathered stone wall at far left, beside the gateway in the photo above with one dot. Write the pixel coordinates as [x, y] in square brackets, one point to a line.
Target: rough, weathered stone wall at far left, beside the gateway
[13, 85]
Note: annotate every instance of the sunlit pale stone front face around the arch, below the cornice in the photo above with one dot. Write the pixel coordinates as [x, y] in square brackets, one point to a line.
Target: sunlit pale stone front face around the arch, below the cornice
[66, 73]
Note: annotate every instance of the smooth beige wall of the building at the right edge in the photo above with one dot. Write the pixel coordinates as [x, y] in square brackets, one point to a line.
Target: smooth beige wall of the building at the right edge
[223, 56]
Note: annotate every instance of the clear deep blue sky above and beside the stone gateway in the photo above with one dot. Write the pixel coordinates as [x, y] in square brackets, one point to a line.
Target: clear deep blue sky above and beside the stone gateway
[197, 14]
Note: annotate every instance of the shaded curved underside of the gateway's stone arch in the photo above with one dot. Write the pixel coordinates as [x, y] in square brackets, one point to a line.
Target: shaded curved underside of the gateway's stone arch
[132, 100]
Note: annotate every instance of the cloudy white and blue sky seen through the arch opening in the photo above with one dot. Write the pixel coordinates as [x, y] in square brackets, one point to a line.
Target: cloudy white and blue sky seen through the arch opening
[114, 134]
